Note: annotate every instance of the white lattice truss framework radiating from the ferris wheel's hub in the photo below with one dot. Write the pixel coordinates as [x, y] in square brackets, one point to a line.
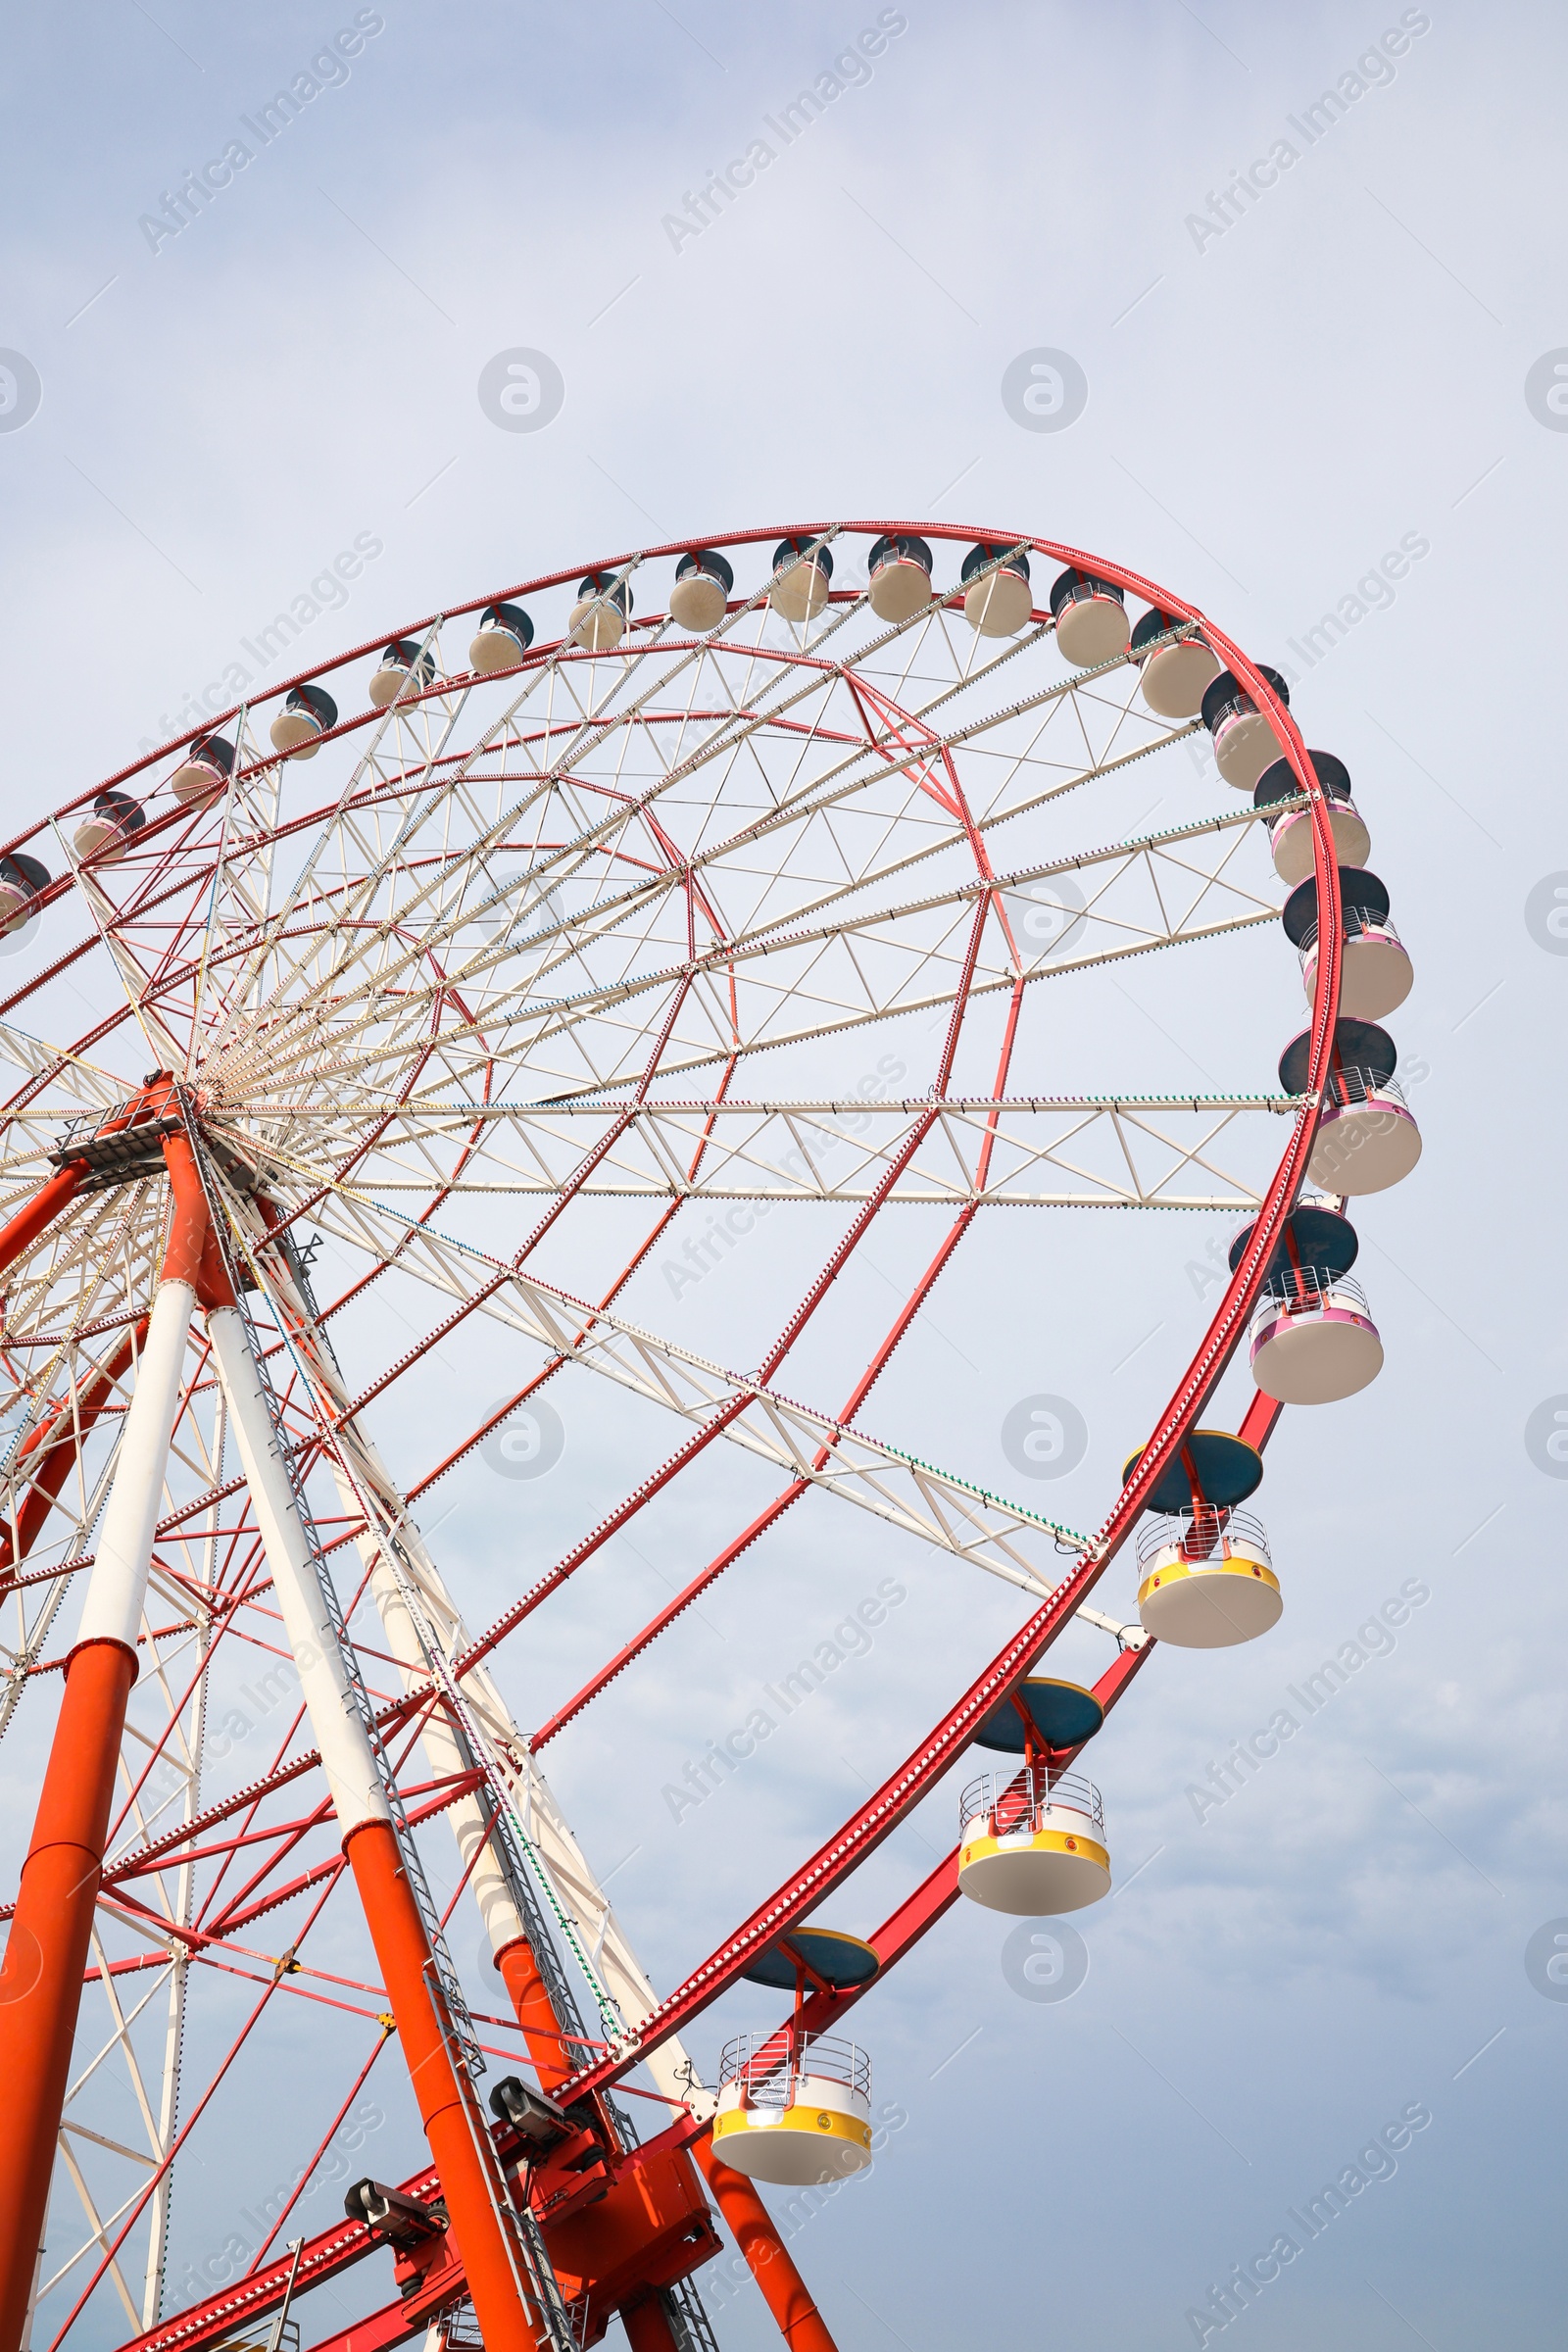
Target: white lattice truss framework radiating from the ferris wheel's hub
[587, 933]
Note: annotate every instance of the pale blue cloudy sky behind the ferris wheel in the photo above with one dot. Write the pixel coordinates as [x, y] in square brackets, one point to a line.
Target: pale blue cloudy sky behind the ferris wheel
[1254, 399]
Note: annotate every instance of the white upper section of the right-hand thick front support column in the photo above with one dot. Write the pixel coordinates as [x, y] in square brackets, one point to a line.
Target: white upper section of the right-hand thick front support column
[335, 1720]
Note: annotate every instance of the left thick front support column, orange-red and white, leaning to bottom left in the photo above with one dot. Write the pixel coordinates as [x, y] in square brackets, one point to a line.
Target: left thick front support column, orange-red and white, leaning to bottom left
[41, 1984]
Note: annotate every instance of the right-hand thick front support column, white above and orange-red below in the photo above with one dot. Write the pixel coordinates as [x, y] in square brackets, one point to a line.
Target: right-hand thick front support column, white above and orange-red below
[448, 2102]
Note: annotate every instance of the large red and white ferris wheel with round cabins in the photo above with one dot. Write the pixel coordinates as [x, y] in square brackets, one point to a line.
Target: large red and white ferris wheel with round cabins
[502, 961]
